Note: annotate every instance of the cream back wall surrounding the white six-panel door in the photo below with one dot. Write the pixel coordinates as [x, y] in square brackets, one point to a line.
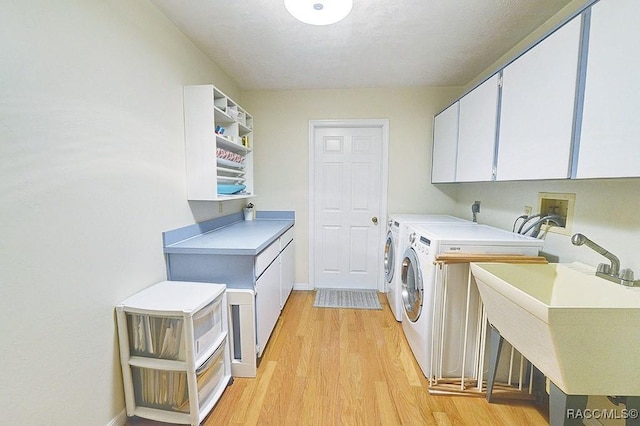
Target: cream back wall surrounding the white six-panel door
[281, 132]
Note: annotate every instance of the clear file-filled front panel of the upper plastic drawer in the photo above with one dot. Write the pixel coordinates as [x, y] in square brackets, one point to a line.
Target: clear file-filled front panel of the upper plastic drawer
[155, 337]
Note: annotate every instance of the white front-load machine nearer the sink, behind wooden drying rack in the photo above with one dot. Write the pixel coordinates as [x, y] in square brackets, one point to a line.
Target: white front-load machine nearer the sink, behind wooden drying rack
[441, 312]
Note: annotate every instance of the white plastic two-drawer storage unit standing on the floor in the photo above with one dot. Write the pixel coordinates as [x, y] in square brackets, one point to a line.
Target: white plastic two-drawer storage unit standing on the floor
[174, 350]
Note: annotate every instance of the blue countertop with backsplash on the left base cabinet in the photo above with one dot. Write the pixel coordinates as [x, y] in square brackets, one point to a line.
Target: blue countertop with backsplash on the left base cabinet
[229, 235]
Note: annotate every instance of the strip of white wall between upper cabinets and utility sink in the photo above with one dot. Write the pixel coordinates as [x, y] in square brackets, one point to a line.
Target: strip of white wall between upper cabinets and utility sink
[606, 211]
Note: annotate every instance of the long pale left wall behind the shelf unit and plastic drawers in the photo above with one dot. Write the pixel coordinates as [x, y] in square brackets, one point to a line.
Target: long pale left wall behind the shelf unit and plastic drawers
[91, 174]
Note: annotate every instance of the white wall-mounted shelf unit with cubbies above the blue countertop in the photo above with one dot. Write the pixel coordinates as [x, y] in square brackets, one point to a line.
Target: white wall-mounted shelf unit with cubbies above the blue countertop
[219, 145]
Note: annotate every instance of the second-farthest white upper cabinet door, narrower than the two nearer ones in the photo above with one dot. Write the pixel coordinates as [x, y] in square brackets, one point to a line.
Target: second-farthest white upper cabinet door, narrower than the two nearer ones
[477, 132]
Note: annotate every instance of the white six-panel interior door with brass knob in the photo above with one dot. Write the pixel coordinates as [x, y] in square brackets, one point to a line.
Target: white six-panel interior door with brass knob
[348, 187]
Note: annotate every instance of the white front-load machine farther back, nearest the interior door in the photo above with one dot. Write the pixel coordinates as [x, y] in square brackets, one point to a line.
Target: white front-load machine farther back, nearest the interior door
[395, 245]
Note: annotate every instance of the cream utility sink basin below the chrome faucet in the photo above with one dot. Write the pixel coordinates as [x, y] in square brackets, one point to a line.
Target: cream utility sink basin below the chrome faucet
[581, 331]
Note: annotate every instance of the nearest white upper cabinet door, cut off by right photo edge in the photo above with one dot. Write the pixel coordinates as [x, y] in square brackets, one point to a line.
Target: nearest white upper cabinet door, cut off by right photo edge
[609, 143]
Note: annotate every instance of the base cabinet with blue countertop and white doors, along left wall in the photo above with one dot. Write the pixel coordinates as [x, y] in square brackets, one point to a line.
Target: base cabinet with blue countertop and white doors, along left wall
[254, 259]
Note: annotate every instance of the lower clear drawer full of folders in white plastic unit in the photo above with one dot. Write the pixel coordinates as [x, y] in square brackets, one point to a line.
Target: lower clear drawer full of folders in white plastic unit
[168, 390]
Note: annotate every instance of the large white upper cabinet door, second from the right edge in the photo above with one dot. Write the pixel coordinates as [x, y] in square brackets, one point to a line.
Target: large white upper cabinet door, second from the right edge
[537, 111]
